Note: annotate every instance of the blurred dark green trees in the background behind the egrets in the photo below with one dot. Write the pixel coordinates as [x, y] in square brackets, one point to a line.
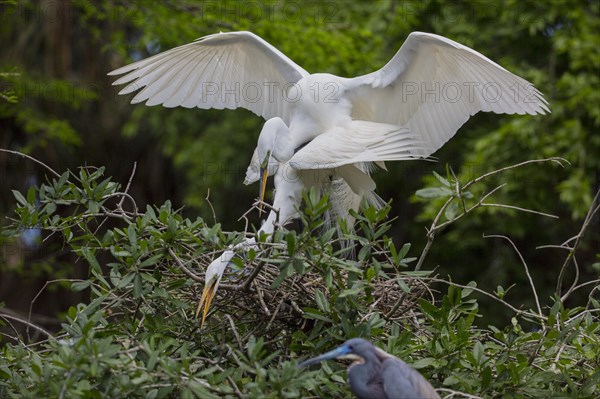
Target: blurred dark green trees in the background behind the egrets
[58, 105]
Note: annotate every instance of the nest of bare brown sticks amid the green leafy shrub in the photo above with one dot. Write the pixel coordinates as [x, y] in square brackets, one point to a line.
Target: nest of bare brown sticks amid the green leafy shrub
[248, 295]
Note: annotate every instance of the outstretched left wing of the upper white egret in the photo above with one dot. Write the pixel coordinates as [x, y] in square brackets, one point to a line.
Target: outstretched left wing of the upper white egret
[224, 70]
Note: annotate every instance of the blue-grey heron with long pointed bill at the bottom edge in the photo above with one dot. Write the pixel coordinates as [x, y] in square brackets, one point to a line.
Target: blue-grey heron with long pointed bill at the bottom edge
[378, 375]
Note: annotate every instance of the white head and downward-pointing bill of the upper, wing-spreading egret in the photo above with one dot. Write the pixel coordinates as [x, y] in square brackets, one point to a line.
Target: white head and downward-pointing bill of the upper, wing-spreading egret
[273, 148]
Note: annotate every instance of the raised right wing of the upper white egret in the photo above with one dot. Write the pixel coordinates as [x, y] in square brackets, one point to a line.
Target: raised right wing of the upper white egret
[433, 85]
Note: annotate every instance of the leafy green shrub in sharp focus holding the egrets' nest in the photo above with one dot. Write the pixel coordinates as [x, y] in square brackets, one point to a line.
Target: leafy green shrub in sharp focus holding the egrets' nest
[137, 336]
